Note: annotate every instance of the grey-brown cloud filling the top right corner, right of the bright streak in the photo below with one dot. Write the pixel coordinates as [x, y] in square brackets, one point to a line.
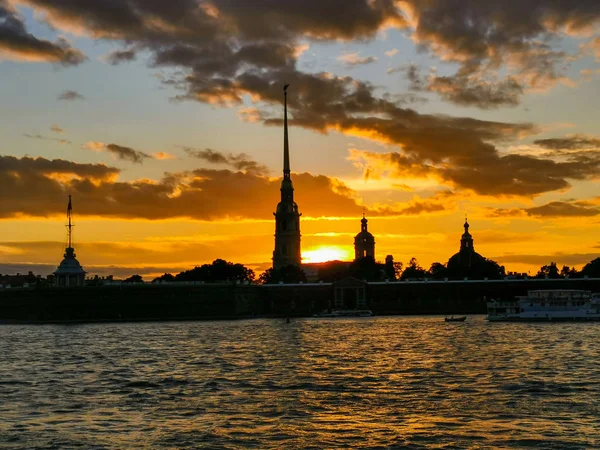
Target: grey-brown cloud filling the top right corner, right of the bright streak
[485, 37]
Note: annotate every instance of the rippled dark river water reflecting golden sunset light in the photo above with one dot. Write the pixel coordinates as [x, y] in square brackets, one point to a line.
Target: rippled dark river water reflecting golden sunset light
[382, 382]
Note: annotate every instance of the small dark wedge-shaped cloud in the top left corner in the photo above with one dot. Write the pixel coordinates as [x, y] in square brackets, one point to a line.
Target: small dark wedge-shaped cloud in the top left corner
[19, 44]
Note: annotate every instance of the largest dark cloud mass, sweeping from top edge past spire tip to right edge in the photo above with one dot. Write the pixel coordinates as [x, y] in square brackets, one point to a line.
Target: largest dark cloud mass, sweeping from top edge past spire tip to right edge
[224, 51]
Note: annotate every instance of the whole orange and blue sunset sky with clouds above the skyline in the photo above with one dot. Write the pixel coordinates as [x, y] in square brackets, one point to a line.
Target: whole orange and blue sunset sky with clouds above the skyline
[163, 119]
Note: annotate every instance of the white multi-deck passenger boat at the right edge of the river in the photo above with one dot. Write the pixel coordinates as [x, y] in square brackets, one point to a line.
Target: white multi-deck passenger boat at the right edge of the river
[547, 305]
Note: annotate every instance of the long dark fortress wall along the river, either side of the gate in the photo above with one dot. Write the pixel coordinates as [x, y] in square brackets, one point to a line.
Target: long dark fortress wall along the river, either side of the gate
[222, 301]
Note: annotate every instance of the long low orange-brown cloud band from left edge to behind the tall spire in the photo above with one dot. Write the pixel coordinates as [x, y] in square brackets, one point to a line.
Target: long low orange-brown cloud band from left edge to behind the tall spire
[202, 194]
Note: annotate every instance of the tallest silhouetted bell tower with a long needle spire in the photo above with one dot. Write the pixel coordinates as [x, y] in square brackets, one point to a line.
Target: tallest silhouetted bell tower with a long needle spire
[287, 217]
